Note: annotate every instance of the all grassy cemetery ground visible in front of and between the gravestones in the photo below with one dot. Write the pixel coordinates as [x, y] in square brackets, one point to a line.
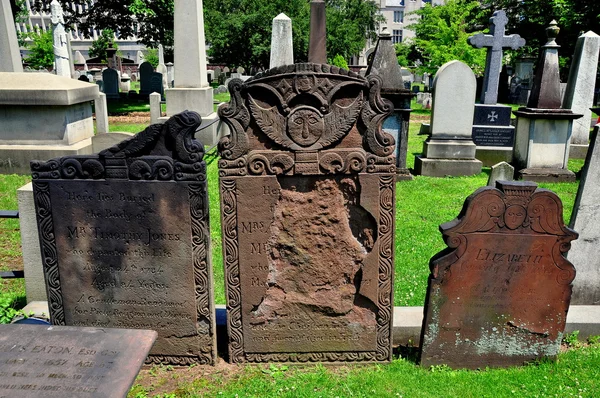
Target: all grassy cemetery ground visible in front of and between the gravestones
[422, 205]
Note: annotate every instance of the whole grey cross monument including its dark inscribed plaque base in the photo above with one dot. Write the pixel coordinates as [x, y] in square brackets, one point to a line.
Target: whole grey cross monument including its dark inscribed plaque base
[492, 131]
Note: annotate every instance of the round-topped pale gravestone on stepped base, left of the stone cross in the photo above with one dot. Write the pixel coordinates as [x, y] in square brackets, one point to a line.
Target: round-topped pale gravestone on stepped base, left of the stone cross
[450, 149]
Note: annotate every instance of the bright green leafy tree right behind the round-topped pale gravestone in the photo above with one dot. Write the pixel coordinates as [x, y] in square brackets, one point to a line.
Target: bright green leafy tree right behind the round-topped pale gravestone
[441, 36]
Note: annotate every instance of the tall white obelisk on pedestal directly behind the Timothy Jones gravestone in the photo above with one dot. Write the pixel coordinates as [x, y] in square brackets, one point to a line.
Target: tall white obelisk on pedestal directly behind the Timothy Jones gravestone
[192, 91]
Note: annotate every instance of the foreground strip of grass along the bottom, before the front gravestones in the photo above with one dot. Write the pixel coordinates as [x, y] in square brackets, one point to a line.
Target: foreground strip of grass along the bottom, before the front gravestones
[574, 374]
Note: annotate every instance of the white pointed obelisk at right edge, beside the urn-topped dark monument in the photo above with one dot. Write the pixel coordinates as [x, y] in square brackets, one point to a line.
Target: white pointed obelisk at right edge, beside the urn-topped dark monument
[579, 96]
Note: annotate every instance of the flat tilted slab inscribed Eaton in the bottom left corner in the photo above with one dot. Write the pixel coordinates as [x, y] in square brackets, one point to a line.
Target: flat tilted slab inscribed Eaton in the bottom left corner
[51, 361]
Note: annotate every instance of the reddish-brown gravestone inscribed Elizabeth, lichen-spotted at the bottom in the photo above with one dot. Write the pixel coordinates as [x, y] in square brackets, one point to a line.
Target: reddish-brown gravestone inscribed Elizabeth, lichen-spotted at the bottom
[499, 295]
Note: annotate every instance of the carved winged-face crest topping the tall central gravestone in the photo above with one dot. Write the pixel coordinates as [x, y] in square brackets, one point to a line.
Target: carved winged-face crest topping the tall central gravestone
[306, 119]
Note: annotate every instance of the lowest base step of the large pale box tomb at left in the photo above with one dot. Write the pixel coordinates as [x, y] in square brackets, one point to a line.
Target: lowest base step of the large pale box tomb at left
[14, 159]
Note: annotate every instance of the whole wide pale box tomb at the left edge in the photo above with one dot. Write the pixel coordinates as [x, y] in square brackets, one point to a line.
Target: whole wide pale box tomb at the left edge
[43, 116]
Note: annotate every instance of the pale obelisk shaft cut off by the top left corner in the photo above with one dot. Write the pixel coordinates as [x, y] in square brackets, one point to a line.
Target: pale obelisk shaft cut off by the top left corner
[10, 57]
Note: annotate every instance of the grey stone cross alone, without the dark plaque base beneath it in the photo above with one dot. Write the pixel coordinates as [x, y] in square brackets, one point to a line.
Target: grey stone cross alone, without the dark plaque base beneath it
[495, 42]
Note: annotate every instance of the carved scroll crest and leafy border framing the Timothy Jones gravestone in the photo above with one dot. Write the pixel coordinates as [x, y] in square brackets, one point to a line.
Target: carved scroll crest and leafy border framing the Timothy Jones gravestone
[162, 152]
